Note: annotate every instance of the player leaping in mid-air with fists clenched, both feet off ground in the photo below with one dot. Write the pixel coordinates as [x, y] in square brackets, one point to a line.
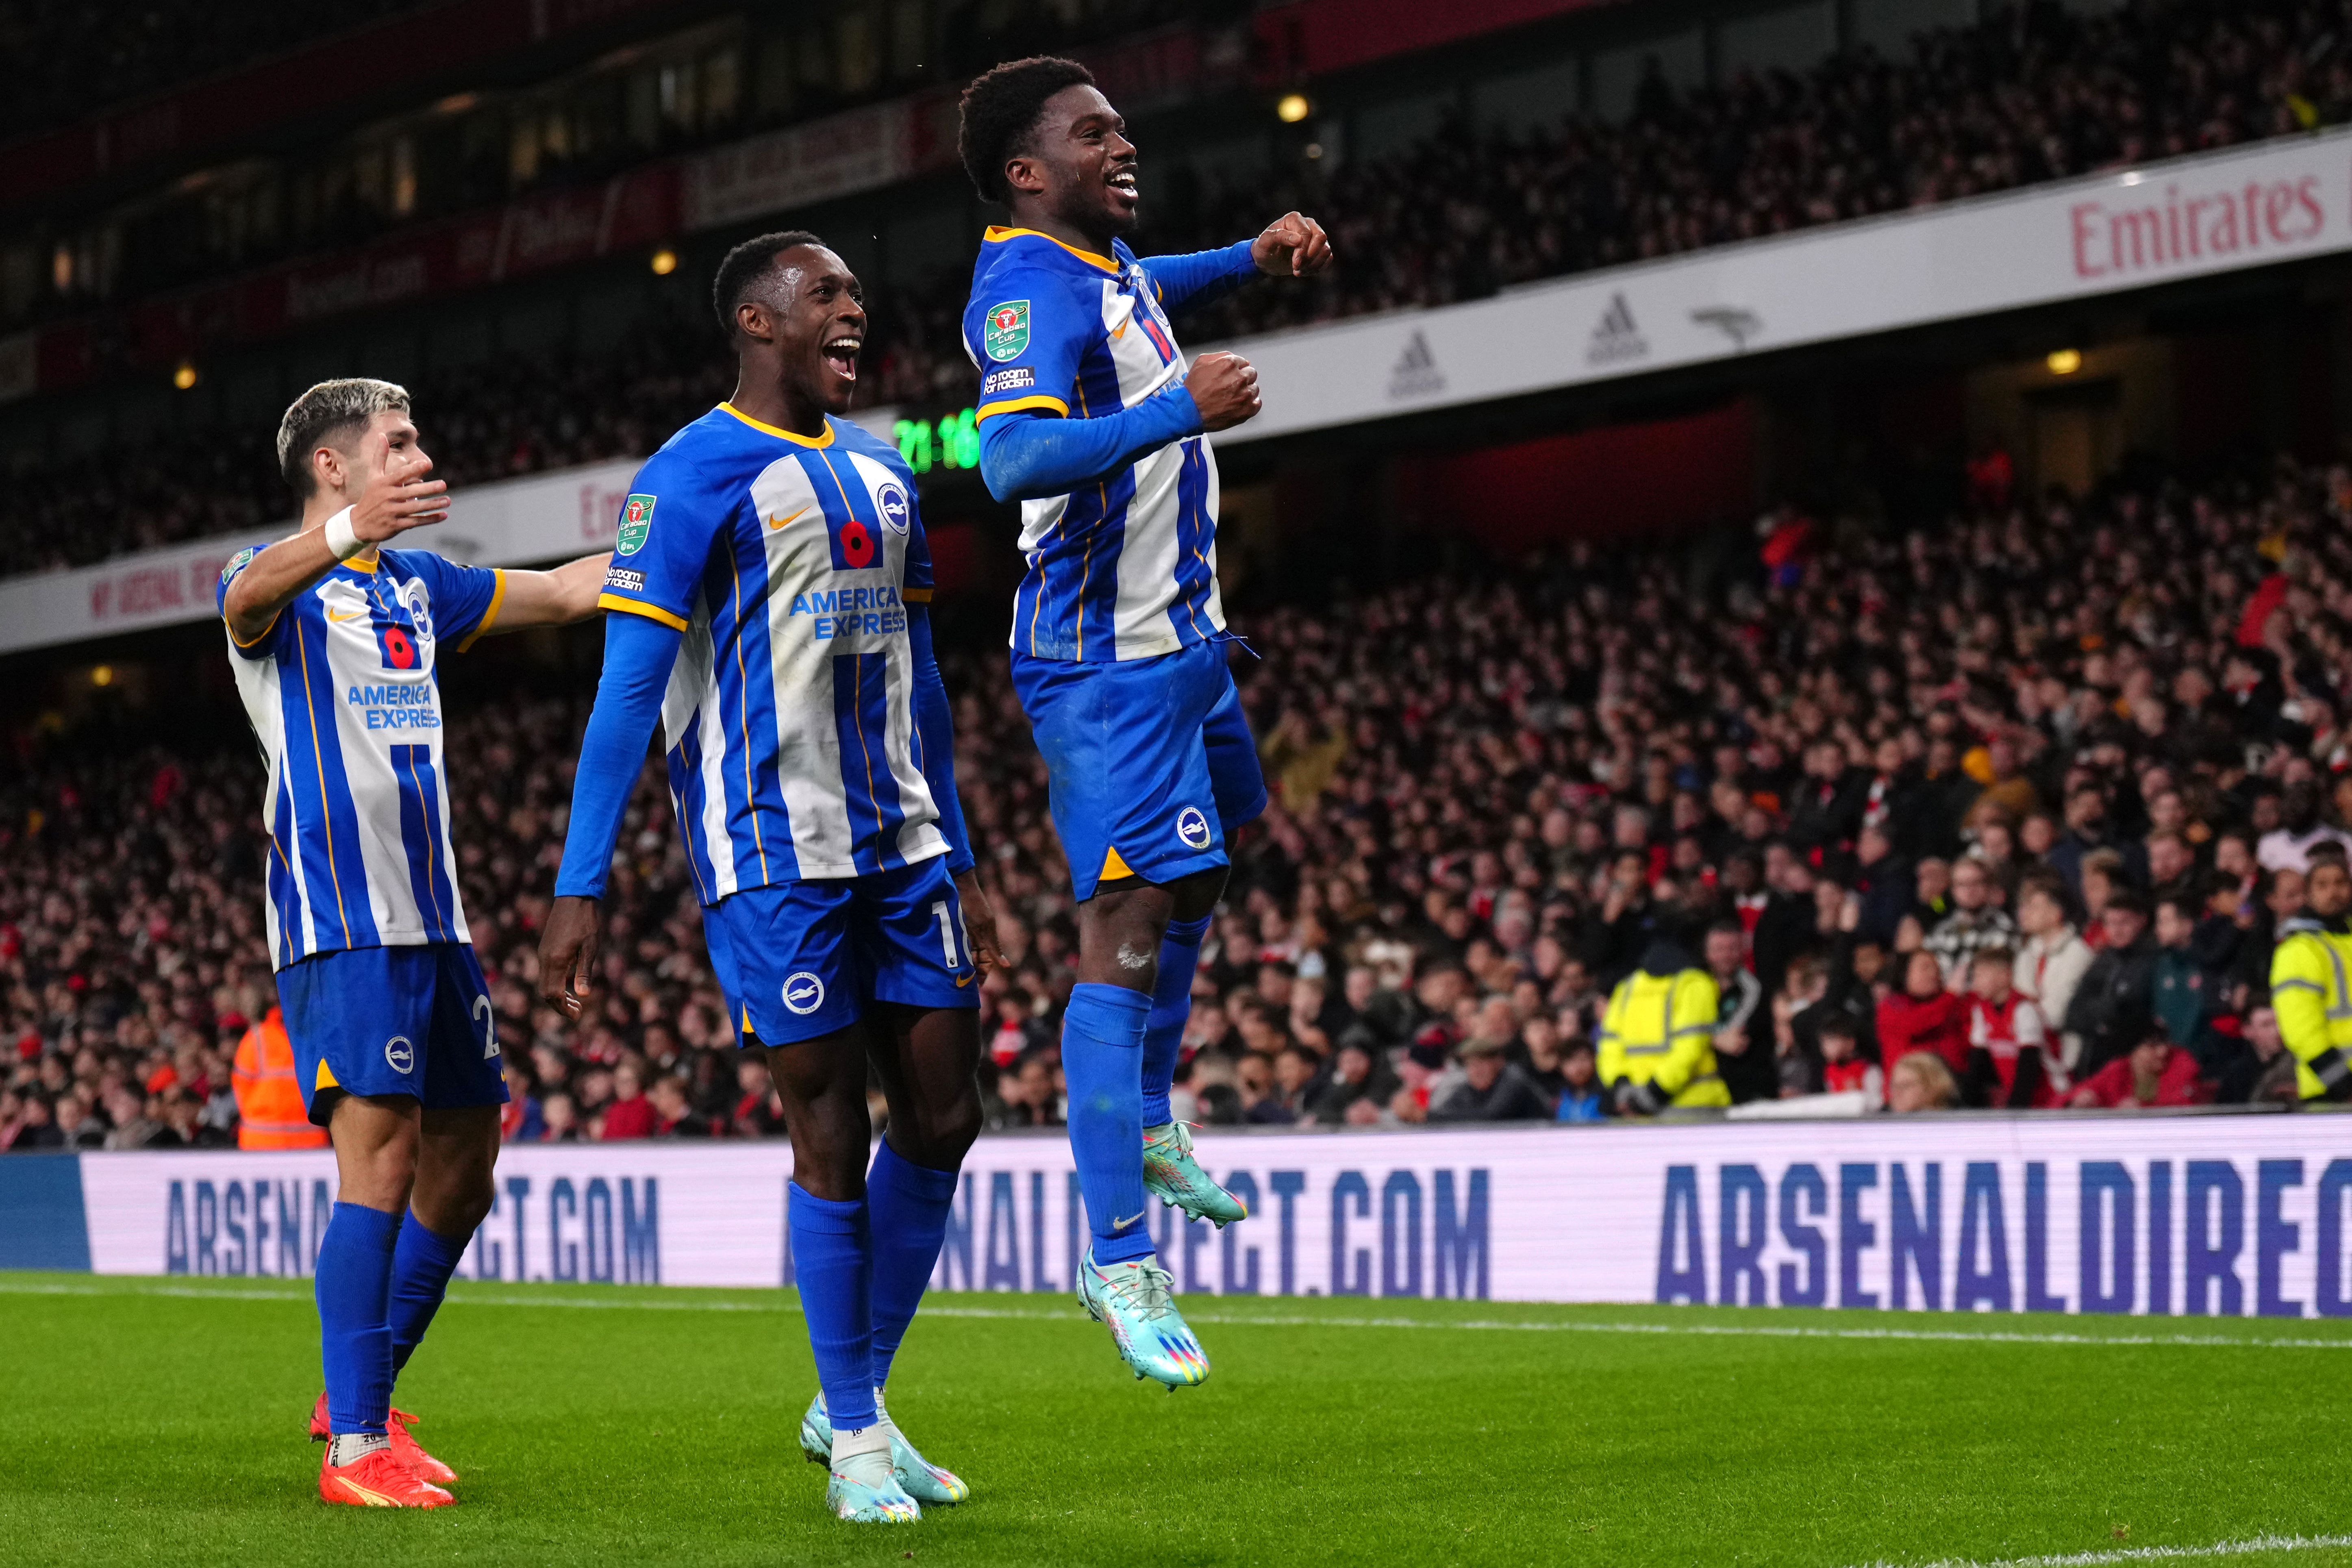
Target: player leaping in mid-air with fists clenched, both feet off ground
[1097, 424]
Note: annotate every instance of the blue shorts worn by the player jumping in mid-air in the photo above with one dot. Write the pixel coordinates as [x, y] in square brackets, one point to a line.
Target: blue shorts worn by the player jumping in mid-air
[1151, 763]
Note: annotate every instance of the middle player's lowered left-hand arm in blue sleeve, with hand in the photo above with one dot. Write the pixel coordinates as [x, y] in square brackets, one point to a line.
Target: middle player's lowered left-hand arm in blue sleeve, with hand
[639, 657]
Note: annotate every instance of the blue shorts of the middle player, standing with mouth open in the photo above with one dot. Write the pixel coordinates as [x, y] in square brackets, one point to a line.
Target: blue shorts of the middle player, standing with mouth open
[806, 958]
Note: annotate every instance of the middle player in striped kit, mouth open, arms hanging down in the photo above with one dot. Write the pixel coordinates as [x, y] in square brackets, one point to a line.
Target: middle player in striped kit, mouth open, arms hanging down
[773, 608]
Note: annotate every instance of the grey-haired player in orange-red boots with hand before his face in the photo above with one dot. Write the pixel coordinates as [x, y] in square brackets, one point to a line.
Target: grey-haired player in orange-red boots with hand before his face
[335, 643]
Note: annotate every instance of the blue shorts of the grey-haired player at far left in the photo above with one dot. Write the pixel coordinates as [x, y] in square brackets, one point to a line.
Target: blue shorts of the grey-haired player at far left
[394, 1021]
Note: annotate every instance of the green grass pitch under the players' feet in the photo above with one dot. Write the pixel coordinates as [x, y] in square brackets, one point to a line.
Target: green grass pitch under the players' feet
[147, 1421]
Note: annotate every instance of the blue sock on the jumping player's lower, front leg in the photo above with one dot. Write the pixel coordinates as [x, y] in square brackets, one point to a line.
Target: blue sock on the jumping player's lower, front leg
[1102, 1061]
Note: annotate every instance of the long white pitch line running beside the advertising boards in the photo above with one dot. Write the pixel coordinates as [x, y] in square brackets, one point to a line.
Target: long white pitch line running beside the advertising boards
[1255, 1320]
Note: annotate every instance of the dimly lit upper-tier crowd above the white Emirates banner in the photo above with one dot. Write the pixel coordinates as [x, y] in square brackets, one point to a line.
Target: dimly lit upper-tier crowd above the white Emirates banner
[2031, 95]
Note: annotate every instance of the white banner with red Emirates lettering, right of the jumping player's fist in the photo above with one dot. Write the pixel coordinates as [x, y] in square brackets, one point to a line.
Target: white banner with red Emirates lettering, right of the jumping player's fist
[2261, 206]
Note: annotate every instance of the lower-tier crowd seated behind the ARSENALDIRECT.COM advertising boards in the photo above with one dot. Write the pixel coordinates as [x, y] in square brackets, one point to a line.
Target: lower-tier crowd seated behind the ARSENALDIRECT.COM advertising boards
[2003, 812]
